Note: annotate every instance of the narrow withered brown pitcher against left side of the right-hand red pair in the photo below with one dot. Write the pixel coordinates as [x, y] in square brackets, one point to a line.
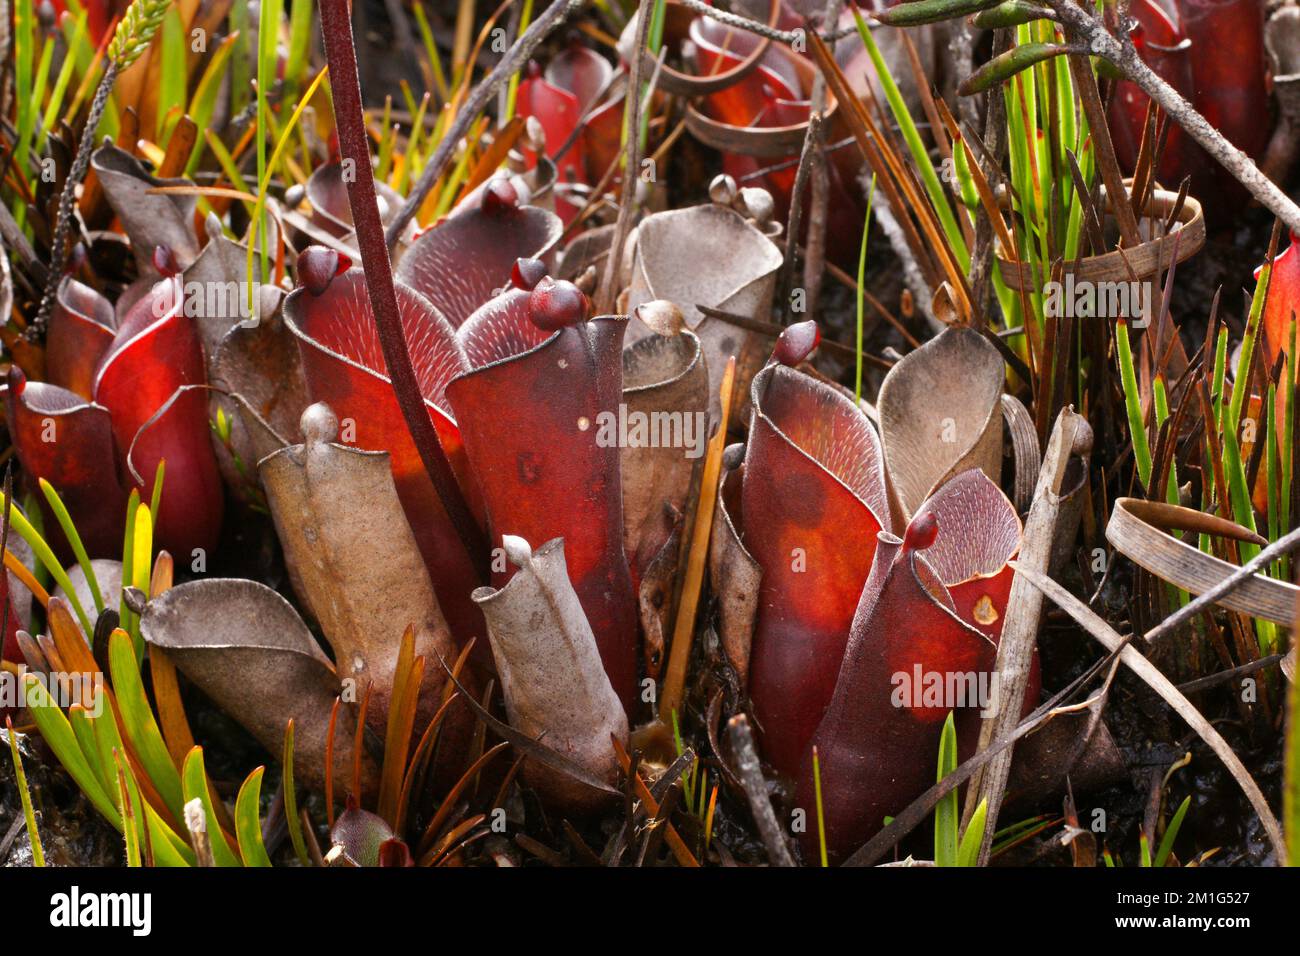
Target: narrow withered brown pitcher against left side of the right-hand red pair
[733, 572]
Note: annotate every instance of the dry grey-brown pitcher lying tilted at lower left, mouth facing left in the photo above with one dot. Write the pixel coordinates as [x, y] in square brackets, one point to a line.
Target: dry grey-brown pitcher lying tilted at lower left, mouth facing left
[246, 648]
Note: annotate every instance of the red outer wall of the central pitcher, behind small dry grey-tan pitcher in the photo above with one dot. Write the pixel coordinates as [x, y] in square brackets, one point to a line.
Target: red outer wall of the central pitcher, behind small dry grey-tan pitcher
[532, 427]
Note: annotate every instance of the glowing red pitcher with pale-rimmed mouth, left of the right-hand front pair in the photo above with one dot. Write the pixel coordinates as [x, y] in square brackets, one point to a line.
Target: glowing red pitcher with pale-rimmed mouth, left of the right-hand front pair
[814, 500]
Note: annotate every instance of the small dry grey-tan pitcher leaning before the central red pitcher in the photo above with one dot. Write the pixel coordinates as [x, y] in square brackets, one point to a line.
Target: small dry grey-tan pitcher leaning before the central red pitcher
[552, 673]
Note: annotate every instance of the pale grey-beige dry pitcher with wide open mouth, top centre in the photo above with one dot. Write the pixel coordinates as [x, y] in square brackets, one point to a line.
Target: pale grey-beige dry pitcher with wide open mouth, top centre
[708, 256]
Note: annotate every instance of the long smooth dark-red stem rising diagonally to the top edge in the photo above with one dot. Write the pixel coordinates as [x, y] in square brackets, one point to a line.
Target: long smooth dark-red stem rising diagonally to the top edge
[350, 123]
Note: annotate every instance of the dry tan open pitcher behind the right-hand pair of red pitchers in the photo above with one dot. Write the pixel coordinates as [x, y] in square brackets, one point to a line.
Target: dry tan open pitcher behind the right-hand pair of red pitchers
[941, 414]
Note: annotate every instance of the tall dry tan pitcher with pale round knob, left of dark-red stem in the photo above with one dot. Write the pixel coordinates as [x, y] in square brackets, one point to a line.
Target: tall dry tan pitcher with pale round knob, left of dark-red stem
[354, 561]
